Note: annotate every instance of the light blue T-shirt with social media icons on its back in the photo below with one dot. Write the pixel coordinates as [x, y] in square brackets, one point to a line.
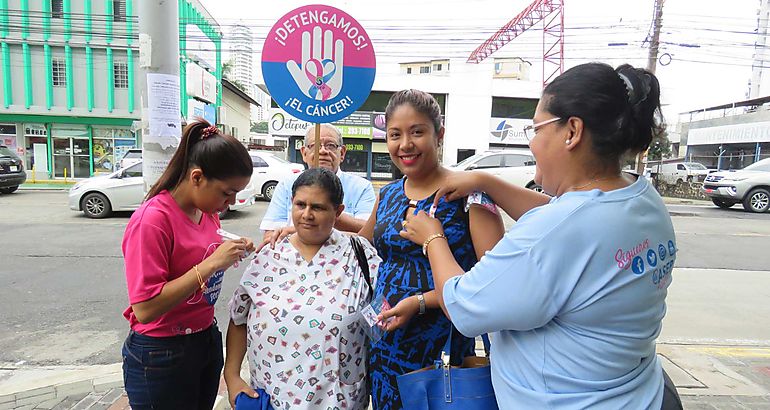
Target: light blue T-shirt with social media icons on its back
[573, 296]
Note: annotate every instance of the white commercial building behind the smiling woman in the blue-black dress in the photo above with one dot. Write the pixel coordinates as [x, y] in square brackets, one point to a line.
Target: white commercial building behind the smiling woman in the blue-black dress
[485, 106]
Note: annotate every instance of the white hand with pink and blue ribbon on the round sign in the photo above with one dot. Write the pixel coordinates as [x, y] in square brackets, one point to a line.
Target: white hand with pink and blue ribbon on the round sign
[319, 75]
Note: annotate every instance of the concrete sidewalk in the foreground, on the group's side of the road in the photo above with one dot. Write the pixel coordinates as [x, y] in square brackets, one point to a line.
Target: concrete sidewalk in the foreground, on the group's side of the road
[707, 377]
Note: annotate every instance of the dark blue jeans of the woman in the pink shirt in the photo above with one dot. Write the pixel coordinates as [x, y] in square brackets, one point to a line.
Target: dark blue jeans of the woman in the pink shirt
[179, 372]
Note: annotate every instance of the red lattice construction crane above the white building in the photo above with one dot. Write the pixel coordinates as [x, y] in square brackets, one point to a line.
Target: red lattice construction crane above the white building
[551, 13]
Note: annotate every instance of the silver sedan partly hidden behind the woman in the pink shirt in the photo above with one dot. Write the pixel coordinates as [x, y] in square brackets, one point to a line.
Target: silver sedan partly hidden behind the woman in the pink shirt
[123, 190]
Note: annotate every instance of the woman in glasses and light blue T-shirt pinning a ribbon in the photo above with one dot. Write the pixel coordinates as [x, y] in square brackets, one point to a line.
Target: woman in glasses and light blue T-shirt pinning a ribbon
[573, 296]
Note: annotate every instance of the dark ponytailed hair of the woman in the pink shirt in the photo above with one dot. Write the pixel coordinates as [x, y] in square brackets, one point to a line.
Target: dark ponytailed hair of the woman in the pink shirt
[219, 156]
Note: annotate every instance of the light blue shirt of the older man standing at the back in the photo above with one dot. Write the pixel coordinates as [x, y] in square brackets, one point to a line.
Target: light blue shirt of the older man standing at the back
[358, 200]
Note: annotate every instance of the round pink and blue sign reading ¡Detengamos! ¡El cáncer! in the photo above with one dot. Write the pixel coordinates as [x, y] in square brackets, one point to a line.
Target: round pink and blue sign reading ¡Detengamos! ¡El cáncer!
[318, 63]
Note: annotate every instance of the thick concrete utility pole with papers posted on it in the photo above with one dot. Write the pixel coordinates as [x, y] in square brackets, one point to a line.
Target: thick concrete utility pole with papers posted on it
[159, 85]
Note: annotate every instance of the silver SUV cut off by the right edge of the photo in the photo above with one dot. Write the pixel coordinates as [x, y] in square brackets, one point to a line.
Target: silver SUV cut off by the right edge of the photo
[750, 186]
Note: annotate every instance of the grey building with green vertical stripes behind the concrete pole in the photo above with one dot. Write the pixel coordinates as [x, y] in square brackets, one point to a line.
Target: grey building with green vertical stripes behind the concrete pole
[69, 73]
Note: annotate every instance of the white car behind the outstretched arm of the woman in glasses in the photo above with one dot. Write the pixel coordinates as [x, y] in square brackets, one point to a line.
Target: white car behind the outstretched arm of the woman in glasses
[516, 166]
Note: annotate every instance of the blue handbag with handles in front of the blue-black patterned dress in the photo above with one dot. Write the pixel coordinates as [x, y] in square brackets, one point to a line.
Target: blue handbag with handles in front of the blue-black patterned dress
[441, 386]
